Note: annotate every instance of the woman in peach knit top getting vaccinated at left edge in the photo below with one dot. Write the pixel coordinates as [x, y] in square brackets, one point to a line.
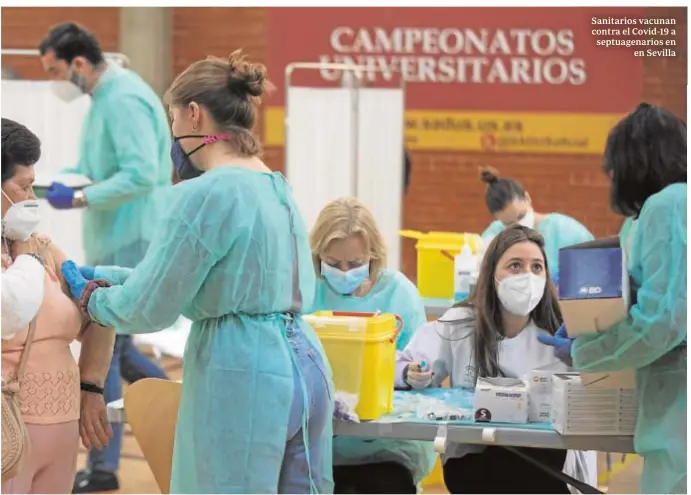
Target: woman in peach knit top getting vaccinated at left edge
[53, 399]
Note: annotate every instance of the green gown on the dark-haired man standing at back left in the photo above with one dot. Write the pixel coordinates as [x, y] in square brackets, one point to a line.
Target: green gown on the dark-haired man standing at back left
[125, 151]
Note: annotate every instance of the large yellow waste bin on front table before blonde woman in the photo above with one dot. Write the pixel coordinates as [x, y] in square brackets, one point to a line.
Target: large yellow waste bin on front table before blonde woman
[361, 348]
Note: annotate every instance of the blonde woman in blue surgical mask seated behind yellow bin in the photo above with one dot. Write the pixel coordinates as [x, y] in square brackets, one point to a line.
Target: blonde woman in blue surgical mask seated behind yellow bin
[349, 258]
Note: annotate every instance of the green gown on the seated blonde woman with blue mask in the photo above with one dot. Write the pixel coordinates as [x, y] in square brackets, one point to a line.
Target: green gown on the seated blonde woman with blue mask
[393, 293]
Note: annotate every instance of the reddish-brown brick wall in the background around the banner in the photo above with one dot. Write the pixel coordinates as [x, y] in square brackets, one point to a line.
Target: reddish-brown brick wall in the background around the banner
[445, 193]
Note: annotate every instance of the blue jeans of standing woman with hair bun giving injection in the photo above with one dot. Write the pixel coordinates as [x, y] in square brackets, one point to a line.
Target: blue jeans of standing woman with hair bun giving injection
[295, 472]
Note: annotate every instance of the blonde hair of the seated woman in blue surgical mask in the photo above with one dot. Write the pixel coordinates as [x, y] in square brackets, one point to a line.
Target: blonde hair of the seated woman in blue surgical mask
[340, 219]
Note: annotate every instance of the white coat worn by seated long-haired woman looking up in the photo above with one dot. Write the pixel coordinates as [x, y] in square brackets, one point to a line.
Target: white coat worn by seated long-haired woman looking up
[448, 348]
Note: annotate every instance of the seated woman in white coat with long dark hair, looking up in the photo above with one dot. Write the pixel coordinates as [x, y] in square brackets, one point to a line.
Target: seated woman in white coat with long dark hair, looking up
[494, 333]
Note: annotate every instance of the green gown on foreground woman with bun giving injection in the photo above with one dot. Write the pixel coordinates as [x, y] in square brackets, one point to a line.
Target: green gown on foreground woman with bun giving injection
[231, 255]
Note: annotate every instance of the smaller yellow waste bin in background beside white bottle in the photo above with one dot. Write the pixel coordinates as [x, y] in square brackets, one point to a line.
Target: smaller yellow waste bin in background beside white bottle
[435, 253]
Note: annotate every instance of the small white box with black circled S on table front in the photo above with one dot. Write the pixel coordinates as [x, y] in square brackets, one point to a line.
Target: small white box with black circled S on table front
[501, 400]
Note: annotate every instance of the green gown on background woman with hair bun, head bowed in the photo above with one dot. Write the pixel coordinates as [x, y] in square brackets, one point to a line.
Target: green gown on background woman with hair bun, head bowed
[558, 230]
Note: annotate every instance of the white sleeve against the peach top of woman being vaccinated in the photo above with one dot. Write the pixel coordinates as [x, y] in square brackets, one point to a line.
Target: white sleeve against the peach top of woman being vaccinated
[22, 294]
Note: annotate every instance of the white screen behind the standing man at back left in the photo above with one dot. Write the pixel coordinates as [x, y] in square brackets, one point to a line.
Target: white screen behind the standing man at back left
[58, 125]
